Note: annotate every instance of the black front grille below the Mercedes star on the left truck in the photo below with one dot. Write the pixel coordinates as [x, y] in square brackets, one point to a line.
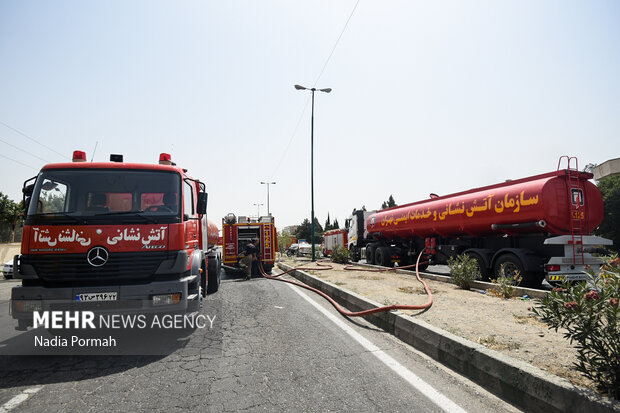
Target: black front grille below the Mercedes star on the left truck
[75, 267]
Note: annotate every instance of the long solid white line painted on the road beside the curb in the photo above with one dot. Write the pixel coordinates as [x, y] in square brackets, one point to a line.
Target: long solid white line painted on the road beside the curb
[426, 389]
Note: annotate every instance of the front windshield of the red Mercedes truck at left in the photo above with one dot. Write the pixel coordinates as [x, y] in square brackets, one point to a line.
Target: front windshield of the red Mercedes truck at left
[98, 195]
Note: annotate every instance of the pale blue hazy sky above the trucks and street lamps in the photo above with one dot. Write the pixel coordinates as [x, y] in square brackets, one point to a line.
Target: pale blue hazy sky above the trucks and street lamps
[427, 96]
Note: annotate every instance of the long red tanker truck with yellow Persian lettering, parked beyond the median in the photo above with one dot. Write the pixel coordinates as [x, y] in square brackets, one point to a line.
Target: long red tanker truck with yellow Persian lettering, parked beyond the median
[538, 226]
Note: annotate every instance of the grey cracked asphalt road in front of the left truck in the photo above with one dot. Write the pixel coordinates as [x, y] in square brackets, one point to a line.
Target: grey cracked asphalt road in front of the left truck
[272, 348]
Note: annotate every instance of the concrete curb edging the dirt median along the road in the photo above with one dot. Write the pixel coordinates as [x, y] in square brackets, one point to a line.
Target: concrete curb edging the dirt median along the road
[527, 387]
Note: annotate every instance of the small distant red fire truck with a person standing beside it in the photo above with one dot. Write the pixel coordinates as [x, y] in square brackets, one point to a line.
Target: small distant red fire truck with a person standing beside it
[237, 233]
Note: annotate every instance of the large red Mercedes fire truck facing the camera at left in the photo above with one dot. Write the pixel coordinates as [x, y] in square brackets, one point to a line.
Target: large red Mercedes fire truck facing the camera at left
[133, 235]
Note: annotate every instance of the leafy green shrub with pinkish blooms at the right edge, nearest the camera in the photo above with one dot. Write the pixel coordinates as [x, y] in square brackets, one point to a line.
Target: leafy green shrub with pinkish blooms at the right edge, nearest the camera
[588, 310]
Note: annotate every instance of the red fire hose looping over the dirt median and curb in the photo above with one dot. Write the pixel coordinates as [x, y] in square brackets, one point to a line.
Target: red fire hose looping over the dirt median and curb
[345, 312]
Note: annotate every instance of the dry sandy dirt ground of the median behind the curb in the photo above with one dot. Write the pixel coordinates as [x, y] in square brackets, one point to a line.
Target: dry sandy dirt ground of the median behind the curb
[504, 325]
